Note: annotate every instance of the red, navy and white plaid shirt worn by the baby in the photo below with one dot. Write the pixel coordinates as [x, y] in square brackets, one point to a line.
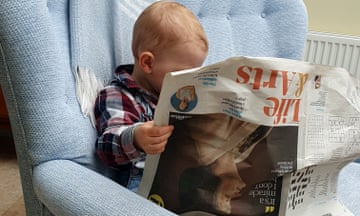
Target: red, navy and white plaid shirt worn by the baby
[119, 108]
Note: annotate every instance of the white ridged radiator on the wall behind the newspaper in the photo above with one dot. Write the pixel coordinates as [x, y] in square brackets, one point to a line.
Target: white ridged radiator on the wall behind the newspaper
[335, 50]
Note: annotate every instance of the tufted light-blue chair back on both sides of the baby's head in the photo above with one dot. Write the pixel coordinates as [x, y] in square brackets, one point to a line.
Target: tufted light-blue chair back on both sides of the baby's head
[101, 34]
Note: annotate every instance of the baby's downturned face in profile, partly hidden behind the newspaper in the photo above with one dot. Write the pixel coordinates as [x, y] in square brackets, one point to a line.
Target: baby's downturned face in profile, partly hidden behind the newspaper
[177, 57]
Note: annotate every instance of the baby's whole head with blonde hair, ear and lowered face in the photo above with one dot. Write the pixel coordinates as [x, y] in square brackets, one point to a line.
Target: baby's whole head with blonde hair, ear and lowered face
[167, 37]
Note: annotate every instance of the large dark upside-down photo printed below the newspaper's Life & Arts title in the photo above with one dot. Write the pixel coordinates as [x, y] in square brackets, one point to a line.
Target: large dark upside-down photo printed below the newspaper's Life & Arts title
[222, 165]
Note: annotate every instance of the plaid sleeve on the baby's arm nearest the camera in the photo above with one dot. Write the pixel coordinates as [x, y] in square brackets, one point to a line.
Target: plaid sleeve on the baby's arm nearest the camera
[116, 118]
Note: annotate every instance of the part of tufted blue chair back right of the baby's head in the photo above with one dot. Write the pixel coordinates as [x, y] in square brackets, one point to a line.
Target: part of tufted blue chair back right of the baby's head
[261, 28]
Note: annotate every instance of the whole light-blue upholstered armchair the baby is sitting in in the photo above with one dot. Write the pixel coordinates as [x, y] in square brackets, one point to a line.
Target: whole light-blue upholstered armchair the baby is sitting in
[44, 42]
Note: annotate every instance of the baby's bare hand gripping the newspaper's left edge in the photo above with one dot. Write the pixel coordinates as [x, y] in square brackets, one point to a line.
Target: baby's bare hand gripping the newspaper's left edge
[152, 139]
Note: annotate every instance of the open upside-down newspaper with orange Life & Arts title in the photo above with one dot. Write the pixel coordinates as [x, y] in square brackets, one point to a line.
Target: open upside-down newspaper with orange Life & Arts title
[255, 136]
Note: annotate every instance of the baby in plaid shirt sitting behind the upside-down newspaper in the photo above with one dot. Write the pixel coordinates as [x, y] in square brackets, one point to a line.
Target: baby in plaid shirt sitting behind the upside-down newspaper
[166, 37]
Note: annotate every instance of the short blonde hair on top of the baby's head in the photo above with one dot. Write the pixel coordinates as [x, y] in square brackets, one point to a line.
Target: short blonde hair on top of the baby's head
[163, 24]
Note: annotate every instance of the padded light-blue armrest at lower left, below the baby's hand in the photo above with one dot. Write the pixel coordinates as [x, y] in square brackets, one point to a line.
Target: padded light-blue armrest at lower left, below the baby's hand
[67, 188]
